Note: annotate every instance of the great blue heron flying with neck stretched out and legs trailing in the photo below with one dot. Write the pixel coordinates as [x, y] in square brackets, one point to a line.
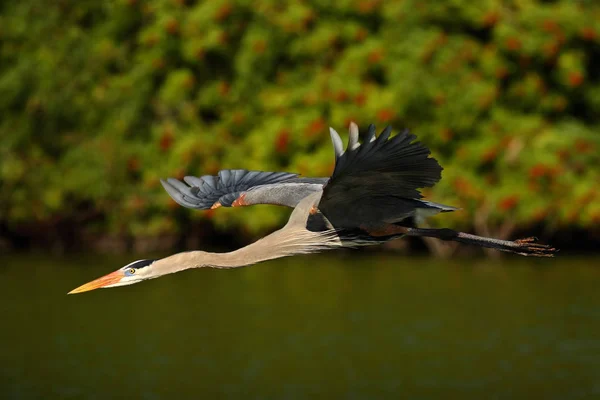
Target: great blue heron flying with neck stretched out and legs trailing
[372, 191]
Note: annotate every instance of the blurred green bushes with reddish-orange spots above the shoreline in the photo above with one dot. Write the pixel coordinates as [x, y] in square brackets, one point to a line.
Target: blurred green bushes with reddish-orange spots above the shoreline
[101, 99]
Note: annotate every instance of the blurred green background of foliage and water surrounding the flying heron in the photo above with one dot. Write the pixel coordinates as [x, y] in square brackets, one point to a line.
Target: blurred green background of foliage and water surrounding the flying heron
[100, 99]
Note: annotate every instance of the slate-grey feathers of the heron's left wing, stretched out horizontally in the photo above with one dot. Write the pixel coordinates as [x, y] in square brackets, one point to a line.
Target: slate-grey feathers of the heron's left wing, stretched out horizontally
[224, 188]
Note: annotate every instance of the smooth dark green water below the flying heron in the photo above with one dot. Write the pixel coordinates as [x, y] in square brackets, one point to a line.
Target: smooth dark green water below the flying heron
[343, 325]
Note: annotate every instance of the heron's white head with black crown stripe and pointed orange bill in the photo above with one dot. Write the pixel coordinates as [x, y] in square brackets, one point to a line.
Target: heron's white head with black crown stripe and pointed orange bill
[134, 272]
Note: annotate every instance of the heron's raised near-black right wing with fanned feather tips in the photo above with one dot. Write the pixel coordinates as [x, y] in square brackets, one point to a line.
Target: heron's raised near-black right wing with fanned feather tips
[377, 181]
